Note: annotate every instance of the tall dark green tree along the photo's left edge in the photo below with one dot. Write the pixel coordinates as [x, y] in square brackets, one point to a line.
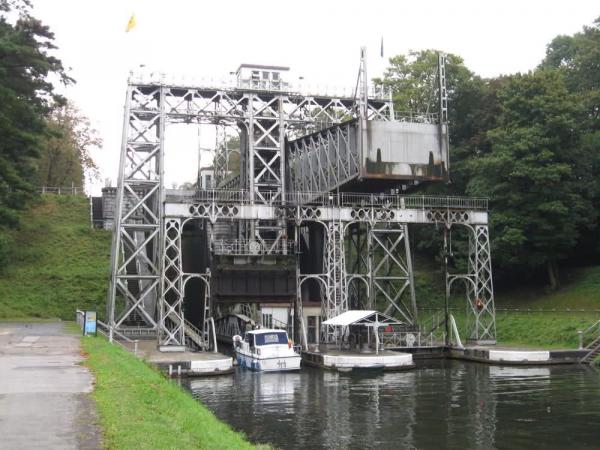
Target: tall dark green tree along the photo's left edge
[26, 97]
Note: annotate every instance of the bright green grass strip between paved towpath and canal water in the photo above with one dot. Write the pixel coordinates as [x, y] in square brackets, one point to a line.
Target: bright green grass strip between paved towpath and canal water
[140, 409]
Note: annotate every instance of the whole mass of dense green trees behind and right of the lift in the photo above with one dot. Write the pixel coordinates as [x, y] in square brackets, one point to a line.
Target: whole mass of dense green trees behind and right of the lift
[530, 142]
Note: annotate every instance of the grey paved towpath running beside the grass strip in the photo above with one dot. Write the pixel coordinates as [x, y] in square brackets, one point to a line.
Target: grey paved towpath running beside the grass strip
[45, 397]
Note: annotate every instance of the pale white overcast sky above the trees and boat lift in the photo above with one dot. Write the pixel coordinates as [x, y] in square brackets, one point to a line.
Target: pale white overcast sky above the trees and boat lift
[319, 40]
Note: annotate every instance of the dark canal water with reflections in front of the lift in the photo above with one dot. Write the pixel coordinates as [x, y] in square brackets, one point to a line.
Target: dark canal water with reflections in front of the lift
[440, 404]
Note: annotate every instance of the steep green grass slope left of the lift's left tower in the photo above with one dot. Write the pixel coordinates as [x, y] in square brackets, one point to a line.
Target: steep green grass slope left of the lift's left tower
[58, 264]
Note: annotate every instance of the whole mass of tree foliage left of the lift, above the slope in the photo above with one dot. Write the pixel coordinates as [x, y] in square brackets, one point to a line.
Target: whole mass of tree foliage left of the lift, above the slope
[43, 139]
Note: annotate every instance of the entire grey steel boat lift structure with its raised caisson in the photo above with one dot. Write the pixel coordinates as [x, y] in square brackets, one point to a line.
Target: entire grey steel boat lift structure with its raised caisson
[318, 194]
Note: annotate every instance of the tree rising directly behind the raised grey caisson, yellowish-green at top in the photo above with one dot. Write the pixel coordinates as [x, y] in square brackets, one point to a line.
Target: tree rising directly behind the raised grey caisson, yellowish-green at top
[413, 81]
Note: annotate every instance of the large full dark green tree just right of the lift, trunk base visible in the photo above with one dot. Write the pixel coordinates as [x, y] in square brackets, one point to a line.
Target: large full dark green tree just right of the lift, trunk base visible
[536, 173]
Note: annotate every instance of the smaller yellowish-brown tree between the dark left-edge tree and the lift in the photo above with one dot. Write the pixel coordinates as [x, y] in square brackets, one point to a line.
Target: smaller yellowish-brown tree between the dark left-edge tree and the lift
[65, 157]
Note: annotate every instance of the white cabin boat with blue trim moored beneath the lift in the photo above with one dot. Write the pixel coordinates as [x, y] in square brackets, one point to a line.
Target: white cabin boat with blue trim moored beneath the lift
[266, 350]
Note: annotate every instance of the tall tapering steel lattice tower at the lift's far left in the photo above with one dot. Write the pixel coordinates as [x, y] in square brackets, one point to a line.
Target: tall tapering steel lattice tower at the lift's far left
[135, 259]
